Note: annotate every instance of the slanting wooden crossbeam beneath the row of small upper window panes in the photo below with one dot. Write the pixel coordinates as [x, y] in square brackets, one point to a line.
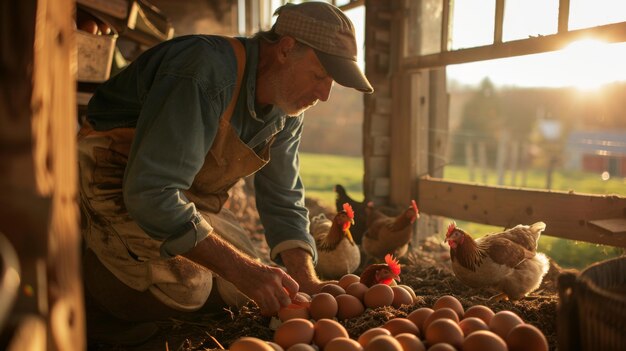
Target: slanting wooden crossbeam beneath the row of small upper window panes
[610, 33]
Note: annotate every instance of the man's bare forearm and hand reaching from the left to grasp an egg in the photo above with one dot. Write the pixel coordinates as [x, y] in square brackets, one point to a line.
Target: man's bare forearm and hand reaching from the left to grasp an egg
[270, 287]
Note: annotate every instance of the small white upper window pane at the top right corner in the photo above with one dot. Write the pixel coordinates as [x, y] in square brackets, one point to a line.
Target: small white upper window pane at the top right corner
[591, 13]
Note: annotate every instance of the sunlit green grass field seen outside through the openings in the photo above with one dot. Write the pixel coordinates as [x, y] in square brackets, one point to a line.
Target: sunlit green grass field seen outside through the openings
[321, 172]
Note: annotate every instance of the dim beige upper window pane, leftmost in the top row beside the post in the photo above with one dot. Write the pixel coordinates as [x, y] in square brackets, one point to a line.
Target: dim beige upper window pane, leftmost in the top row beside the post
[426, 17]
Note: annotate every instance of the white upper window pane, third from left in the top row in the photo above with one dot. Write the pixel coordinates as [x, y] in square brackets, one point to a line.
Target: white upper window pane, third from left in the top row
[526, 18]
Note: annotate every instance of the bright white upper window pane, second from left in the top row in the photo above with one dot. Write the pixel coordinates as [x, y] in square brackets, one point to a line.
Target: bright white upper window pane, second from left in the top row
[472, 23]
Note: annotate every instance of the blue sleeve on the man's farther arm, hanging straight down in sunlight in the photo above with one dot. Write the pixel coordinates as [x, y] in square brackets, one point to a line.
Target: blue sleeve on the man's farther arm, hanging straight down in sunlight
[280, 195]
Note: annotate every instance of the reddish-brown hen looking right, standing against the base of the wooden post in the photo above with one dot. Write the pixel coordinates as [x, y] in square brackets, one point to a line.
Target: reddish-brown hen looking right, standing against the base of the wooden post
[386, 234]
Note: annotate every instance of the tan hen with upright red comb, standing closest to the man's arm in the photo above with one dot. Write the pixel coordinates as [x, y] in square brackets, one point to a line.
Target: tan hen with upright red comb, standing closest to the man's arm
[337, 252]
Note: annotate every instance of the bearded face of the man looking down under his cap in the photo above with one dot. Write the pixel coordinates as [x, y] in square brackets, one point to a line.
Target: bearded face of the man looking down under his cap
[301, 82]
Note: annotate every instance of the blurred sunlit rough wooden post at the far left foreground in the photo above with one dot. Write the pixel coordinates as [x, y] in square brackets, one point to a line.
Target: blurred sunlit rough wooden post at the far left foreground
[38, 163]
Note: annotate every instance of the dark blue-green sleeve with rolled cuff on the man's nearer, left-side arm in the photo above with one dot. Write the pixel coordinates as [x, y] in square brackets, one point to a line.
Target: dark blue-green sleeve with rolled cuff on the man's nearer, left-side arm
[171, 141]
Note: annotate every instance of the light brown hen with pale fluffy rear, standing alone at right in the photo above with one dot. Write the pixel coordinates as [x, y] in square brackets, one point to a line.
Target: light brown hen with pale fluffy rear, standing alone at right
[507, 262]
